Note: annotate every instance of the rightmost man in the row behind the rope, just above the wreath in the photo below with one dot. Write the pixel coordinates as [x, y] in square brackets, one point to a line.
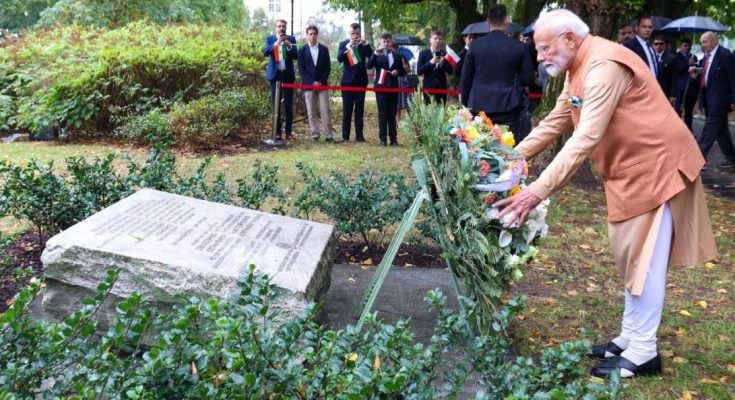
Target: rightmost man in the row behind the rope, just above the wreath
[432, 66]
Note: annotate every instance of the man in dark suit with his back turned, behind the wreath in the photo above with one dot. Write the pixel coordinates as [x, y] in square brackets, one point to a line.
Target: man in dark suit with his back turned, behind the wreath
[496, 70]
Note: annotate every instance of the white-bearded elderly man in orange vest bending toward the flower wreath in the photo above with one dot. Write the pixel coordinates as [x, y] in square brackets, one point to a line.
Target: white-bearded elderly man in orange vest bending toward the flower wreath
[648, 161]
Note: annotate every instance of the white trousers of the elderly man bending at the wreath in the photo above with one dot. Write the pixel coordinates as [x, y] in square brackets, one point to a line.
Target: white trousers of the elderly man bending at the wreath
[642, 315]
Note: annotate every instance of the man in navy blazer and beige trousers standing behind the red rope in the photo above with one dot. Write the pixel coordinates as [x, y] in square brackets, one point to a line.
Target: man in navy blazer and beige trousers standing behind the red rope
[314, 67]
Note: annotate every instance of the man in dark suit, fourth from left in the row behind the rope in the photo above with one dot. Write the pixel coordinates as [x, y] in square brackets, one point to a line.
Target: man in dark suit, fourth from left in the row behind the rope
[388, 67]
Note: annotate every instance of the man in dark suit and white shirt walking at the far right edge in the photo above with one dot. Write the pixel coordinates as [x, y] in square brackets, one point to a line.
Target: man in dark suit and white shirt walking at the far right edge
[716, 75]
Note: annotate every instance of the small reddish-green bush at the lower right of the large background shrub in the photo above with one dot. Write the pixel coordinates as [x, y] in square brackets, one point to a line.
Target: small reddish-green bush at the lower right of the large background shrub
[213, 120]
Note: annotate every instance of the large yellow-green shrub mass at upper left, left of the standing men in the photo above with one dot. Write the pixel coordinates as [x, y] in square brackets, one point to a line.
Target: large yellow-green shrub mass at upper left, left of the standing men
[88, 78]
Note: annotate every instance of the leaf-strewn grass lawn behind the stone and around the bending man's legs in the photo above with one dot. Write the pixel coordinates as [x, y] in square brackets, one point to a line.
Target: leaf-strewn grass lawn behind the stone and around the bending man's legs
[572, 285]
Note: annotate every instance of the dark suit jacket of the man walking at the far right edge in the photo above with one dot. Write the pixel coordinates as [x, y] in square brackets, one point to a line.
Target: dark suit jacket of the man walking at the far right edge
[719, 93]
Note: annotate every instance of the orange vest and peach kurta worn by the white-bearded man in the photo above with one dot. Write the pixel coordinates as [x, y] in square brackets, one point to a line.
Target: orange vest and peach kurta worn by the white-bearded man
[641, 149]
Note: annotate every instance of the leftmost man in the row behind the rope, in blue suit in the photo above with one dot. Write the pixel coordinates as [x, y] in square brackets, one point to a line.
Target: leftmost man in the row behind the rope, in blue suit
[281, 52]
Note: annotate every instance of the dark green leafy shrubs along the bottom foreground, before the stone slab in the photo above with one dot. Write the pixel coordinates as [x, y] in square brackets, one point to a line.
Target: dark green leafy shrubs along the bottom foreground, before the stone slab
[217, 349]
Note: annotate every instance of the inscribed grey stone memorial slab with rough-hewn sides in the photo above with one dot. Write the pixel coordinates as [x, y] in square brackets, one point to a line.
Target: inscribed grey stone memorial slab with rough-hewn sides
[170, 247]
